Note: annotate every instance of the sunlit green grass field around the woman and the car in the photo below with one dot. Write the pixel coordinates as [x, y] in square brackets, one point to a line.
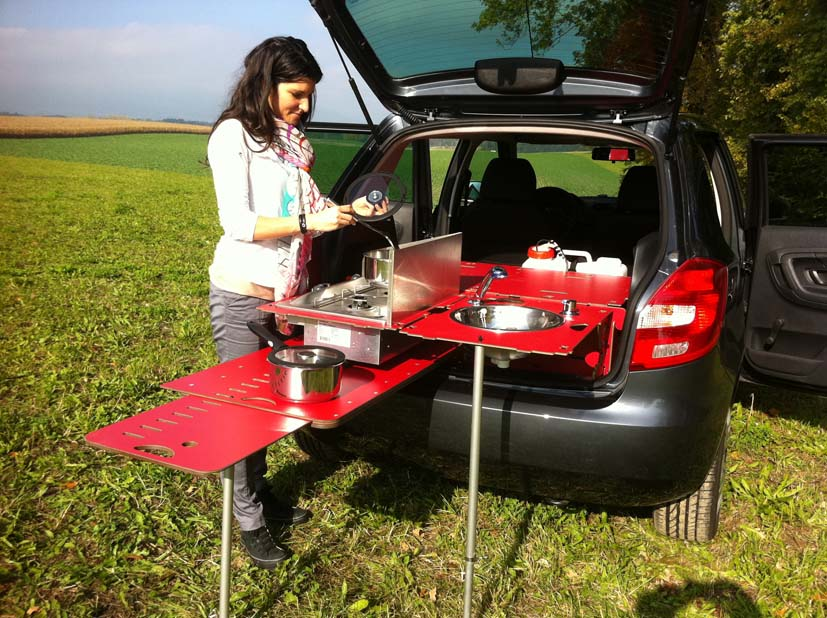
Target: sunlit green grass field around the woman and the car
[103, 290]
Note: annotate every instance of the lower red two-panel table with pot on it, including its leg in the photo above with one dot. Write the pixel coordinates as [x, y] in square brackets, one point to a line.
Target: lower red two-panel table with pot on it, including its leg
[229, 413]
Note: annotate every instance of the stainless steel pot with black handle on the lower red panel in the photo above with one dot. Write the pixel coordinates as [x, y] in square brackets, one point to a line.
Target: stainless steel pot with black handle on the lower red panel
[304, 373]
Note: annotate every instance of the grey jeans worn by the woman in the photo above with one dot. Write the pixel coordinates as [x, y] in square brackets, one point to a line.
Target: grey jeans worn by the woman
[229, 314]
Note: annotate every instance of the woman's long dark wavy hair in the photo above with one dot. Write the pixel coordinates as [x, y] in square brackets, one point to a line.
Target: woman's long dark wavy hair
[273, 61]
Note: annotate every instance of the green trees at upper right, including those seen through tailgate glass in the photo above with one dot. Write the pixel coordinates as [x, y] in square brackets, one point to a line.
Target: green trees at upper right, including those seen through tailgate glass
[760, 66]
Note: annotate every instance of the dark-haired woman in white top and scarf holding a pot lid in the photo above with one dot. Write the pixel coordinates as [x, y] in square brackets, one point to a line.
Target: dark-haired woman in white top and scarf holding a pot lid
[270, 210]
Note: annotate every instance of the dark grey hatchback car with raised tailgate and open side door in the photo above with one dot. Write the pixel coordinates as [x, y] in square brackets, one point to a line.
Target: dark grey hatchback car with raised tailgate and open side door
[561, 121]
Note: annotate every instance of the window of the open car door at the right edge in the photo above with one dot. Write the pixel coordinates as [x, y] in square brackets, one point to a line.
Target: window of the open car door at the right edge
[795, 185]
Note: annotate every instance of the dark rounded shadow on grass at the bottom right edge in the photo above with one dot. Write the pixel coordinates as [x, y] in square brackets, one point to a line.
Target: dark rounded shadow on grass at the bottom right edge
[667, 601]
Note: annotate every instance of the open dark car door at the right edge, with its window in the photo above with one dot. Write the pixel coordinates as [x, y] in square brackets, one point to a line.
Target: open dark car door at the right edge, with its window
[786, 333]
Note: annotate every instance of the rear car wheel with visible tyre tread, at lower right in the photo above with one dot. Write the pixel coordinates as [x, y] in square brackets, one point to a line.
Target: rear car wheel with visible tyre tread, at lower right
[696, 517]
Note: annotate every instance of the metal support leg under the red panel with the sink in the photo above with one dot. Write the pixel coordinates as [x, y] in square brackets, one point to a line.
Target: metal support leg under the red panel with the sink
[473, 479]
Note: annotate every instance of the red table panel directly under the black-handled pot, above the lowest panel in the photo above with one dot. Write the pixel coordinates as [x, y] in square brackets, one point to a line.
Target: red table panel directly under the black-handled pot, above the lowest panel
[245, 381]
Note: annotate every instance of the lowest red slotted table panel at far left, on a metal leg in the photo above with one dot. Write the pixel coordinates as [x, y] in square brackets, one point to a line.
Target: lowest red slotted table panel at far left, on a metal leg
[195, 435]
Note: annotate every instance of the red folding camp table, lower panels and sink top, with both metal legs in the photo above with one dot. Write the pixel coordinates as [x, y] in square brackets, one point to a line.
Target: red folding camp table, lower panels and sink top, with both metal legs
[229, 411]
